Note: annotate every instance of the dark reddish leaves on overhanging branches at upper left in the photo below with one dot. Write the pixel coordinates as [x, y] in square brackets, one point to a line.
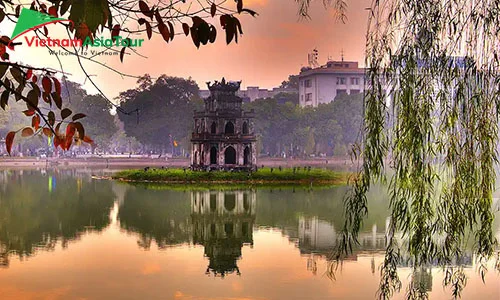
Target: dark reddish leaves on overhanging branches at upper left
[39, 88]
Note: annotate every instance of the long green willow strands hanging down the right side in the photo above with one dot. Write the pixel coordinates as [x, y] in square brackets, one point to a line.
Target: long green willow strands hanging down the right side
[431, 114]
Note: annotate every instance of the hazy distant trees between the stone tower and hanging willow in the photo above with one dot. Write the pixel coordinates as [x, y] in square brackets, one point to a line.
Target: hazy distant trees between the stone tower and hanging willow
[291, 130]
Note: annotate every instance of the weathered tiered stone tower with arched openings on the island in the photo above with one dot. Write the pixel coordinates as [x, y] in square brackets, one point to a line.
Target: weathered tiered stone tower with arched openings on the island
[223, 136]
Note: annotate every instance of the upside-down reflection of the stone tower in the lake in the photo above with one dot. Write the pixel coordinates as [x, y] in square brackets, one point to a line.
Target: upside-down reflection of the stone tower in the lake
[223, 222]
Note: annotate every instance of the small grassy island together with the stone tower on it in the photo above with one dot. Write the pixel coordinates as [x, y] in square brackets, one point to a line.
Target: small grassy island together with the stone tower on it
[223, 150]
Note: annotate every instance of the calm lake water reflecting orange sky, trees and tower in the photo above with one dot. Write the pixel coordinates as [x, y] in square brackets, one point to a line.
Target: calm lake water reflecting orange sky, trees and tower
[66, 236]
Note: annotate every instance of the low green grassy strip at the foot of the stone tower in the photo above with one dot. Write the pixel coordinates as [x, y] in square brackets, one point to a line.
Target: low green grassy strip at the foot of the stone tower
[263, 176]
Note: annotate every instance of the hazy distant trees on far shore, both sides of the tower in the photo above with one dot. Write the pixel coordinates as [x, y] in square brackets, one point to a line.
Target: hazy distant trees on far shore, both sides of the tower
[161, 116]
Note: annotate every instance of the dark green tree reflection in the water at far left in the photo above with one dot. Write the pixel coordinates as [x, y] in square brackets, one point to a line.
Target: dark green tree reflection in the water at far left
[36, 213]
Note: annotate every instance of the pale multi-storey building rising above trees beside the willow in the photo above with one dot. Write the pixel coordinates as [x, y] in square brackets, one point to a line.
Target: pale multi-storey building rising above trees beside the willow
[323, 84]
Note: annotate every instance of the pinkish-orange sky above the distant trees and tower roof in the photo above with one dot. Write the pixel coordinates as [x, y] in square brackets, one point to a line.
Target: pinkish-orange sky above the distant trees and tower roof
[274, 45]
